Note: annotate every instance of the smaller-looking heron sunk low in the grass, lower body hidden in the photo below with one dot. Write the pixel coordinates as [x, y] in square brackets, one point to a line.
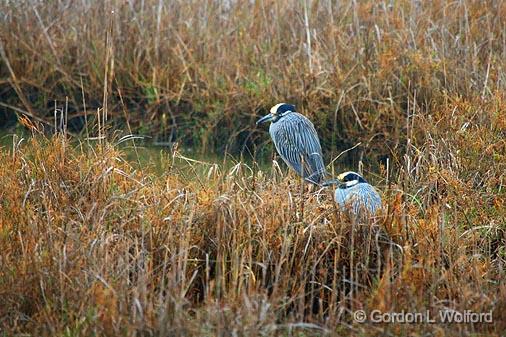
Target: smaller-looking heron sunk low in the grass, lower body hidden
[356, 194]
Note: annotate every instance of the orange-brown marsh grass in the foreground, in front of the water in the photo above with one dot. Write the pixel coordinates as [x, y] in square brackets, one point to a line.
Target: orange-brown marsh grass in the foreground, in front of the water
[92, 245]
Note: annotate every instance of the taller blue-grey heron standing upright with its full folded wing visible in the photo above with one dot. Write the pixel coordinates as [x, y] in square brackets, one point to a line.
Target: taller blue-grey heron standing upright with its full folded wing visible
[296, 141]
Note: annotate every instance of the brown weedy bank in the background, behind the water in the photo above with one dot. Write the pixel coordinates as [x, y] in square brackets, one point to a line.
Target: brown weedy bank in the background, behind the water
[202, 72]
